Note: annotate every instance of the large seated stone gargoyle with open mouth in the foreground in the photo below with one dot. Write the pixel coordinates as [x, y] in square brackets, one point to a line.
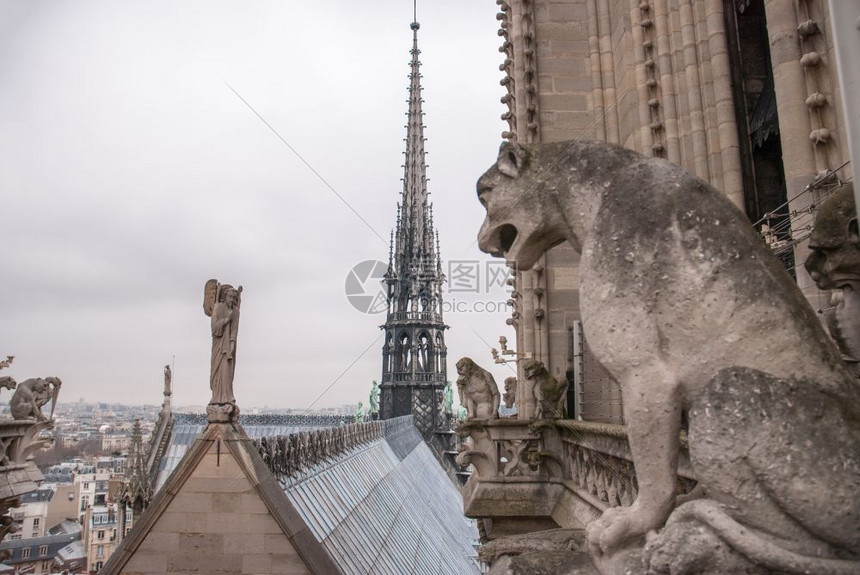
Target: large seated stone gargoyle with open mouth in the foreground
[688, 310]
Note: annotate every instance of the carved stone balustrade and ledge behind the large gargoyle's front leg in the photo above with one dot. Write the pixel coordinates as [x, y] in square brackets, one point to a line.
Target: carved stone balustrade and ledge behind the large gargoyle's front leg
[565, 471]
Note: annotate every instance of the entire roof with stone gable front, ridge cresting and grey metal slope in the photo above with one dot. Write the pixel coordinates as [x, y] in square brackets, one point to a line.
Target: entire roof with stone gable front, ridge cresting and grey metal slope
[358, 499]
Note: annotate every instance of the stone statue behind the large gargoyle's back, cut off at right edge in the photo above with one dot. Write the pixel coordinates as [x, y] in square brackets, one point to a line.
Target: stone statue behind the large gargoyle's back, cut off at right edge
[834, 264]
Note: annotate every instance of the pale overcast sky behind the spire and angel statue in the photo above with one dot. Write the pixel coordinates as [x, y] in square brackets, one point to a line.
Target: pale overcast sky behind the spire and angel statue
[130, 173]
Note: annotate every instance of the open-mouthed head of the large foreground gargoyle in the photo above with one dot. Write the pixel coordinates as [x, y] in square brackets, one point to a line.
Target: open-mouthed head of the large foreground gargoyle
[522, 220]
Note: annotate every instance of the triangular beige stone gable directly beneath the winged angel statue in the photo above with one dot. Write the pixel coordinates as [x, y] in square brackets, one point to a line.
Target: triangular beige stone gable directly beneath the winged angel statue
[220, 509]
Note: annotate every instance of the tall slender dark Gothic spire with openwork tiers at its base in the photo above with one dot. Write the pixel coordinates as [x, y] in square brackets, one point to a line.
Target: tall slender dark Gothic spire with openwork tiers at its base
[414, 353]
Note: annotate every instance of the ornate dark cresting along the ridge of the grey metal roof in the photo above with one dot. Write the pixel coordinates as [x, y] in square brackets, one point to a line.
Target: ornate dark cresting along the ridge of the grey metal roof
[291, 456]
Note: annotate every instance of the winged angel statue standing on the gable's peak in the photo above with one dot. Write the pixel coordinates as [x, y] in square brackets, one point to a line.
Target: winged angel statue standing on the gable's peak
[221, 302]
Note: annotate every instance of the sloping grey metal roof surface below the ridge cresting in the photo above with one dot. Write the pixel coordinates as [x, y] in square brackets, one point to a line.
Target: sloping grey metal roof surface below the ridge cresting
[387, 508]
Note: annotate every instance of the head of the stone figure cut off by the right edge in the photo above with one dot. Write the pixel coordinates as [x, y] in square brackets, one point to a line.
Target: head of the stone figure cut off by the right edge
[835, 242]
